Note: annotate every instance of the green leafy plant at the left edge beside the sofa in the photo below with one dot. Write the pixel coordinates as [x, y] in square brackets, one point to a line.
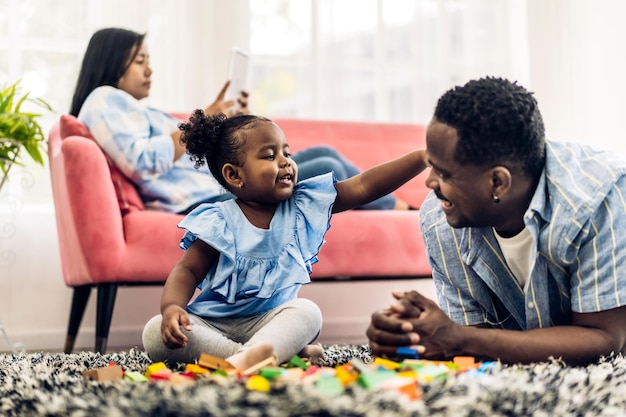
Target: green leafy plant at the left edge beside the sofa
[19, 130]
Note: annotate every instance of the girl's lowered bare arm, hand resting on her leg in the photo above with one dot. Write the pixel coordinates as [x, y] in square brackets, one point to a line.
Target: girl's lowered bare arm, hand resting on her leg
[179, 288]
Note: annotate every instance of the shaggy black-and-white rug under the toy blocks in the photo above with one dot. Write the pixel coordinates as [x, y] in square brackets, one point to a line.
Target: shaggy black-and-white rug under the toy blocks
[52, 385]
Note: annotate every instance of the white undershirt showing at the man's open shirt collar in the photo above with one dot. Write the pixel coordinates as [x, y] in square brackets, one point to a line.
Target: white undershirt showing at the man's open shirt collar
[517, 251]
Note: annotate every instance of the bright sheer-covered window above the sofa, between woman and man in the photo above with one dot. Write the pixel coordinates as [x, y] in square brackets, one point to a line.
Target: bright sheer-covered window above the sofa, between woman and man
[388, 62]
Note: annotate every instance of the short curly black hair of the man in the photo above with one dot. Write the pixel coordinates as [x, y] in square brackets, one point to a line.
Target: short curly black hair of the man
[497, 122]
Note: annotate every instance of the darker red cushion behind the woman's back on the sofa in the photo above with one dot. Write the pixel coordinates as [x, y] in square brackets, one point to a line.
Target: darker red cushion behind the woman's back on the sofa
[127, 195]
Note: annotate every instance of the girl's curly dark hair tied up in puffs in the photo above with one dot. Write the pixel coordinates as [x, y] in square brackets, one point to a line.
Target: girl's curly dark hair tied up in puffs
[216, 139]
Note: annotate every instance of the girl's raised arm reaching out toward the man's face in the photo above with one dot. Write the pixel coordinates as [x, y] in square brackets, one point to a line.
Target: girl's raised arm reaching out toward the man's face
[378, 181]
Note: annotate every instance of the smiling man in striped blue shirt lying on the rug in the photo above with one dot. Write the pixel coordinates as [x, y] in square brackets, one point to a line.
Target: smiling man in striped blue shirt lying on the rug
[525, 237]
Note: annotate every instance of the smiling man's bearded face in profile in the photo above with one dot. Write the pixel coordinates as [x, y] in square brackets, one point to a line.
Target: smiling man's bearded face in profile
[465, 191]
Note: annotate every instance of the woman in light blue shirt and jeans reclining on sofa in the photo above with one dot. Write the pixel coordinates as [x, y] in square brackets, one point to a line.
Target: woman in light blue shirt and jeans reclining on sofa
[144, 142]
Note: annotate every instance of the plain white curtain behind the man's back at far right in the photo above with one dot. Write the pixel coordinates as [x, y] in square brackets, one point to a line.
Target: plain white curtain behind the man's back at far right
[577, 69]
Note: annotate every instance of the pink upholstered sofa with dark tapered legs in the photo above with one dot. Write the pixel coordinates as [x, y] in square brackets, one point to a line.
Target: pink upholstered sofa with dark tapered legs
[107, 238]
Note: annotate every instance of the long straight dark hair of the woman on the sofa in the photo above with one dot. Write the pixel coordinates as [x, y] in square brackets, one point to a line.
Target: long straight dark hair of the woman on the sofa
[106, 59]
